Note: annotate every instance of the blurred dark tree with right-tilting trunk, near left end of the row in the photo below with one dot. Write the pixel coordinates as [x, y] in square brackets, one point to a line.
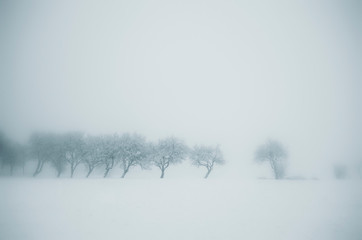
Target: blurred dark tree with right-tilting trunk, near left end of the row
[39, 148]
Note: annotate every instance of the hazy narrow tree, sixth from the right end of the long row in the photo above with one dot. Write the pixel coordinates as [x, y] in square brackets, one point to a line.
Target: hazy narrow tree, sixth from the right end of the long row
[75, 149]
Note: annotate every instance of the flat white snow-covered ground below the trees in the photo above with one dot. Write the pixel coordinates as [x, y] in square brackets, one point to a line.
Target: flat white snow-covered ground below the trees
[172, 209]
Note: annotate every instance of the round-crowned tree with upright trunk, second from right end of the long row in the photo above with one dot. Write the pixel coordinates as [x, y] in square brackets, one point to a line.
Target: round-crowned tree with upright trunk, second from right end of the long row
[168, 151]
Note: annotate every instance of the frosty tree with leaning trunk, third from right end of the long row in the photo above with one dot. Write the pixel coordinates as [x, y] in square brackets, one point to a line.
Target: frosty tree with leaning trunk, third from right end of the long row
[133, 151]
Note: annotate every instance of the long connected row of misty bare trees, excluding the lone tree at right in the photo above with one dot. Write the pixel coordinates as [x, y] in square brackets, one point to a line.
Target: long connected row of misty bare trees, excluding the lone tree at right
[70, 150]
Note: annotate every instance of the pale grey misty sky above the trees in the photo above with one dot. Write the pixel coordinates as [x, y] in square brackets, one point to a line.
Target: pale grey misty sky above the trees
[233, 73]
